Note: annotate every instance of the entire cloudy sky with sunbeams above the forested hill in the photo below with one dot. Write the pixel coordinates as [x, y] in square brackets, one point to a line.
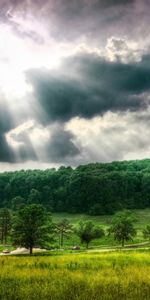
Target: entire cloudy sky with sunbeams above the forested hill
[74, 82]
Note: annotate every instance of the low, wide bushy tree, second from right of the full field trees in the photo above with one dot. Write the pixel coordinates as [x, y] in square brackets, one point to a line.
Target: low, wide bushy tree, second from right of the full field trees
[88, 231]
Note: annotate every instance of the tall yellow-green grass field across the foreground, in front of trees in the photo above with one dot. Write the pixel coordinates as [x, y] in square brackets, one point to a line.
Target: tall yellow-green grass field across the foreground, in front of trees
[92, 276]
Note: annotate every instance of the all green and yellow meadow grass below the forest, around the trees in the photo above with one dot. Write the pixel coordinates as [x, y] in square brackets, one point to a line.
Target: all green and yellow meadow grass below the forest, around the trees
[94, 274]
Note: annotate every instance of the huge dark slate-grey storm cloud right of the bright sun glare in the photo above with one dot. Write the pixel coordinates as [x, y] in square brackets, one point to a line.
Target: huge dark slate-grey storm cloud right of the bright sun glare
[88, 86]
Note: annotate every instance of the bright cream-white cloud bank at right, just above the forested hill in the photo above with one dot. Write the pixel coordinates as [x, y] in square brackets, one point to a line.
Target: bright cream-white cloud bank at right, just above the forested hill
[115, 136]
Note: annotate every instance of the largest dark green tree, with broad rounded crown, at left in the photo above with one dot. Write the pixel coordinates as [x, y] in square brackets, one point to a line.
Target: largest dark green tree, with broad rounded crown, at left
[30, 227]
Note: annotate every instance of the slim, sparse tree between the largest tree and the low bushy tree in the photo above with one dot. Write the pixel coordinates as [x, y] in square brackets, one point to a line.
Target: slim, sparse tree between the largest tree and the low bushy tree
[63, 228]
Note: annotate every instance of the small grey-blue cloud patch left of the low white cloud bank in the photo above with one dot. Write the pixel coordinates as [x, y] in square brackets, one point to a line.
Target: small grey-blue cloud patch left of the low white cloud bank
[61, 145]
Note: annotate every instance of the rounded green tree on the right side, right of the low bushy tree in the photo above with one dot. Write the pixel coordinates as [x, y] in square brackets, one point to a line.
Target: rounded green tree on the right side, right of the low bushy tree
[123, 227]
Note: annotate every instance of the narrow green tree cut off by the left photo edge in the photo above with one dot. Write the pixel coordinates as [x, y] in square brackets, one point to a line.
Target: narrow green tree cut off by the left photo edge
[5, 224]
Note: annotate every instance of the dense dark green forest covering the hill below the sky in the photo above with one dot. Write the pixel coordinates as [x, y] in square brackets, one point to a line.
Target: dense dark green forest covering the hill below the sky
[93, 188]
